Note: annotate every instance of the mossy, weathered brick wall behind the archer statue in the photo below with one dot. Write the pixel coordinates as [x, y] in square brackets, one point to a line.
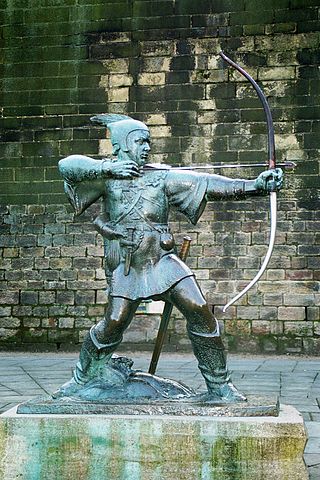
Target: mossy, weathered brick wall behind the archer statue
[158, 61]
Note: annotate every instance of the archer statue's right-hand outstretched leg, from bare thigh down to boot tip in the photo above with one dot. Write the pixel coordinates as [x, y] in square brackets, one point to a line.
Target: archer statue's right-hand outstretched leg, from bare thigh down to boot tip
[203, 330]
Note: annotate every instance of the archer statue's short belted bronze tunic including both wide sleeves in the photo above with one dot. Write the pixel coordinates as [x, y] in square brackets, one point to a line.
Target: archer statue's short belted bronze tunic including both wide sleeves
[139, 209]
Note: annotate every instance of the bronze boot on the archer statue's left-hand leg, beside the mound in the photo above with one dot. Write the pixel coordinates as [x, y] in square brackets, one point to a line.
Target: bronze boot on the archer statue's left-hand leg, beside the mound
[93, 358]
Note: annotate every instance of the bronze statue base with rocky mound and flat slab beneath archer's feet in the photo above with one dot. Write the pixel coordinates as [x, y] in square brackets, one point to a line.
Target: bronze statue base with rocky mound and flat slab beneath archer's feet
[121, 390]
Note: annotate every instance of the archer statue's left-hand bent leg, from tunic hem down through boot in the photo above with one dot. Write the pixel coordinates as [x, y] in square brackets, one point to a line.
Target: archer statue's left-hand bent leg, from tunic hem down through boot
[103, 339]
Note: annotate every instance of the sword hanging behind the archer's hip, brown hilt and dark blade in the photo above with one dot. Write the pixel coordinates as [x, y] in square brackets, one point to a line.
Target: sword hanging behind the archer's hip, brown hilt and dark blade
[166, 314]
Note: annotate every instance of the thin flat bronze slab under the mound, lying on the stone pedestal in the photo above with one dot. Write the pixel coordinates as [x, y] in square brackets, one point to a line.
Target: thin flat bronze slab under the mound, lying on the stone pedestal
[196, 405]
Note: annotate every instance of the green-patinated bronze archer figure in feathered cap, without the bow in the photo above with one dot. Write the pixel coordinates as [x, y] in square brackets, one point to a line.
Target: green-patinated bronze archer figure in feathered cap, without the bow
[140, 254]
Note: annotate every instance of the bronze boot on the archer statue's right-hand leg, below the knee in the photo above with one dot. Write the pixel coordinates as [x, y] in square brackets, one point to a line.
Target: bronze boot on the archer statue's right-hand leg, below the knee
[209, 351]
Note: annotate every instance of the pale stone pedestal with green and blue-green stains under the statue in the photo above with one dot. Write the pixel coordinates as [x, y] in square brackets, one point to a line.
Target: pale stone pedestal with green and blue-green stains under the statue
[152, 447]
